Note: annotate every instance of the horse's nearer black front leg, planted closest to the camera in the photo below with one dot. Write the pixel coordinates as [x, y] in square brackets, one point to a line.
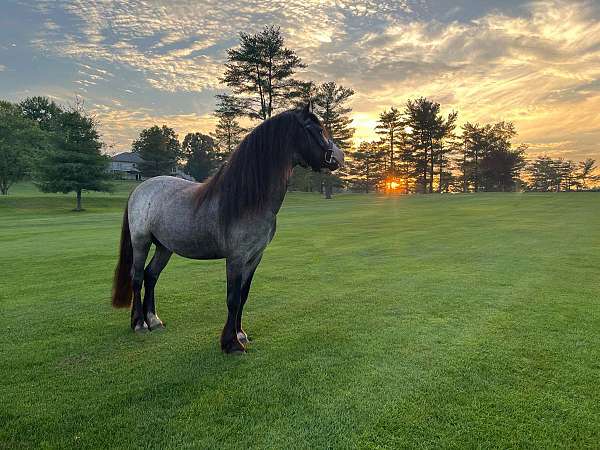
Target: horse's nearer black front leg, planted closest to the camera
[229, 338]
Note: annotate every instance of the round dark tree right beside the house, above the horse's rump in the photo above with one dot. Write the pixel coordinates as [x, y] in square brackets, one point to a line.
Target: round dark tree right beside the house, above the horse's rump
[160, 150]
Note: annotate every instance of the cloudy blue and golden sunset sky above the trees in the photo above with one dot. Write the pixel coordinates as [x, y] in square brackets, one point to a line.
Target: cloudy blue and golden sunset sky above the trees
[137, 63]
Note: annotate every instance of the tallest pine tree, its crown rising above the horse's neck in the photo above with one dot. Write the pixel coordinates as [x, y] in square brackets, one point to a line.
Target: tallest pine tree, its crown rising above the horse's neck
[260, 73]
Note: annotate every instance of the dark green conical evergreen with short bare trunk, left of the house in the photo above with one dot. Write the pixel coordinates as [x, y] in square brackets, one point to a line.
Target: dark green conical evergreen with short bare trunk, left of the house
[74, 161]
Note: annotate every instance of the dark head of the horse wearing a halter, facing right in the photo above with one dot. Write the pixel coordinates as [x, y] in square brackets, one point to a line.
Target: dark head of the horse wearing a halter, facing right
[318, 150]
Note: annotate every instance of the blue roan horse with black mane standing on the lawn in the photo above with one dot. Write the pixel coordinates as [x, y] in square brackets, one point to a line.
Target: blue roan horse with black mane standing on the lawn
[231, 216]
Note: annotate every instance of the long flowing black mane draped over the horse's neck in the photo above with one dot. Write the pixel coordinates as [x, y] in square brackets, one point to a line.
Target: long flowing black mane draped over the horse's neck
[258, 167]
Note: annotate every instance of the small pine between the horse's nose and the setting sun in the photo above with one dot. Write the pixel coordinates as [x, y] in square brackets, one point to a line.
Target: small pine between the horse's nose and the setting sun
[366, 168]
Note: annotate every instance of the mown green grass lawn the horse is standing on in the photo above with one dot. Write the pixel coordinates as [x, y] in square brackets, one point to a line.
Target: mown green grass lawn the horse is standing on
[453, 321]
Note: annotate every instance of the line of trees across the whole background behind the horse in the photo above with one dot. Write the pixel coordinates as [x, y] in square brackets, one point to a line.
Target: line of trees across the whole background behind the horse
[418, 150]
